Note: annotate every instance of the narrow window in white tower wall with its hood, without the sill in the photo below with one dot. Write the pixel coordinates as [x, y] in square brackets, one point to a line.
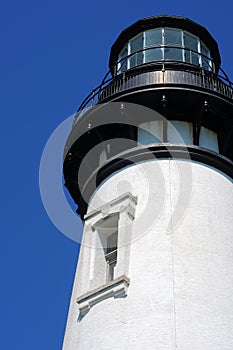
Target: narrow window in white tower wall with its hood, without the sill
[111, 238]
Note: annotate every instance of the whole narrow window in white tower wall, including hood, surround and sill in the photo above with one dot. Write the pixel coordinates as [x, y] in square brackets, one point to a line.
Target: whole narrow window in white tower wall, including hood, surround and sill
[106, 252]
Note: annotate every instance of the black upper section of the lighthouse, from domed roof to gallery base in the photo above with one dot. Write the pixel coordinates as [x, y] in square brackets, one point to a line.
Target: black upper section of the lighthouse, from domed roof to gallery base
[179, 82]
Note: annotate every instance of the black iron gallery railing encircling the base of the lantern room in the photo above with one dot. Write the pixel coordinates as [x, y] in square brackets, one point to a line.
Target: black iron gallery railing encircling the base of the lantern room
[155, 73]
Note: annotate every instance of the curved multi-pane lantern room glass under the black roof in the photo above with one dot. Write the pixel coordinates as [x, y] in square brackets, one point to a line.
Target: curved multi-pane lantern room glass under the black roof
[164, 44]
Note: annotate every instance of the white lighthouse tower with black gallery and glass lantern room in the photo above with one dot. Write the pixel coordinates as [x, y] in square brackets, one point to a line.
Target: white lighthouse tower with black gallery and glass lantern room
[149, 163]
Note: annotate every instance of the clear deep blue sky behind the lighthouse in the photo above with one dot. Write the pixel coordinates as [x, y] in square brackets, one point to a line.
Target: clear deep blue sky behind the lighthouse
[52, 54]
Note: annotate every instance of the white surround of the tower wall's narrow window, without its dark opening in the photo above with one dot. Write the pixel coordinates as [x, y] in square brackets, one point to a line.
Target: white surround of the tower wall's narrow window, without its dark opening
[97, 288]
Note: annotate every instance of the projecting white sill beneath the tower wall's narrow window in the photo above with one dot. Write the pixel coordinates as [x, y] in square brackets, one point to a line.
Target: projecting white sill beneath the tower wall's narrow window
[116, 288]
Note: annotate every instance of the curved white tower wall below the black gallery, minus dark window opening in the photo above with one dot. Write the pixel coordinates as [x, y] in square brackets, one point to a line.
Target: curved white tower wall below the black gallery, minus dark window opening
[174, 271]
